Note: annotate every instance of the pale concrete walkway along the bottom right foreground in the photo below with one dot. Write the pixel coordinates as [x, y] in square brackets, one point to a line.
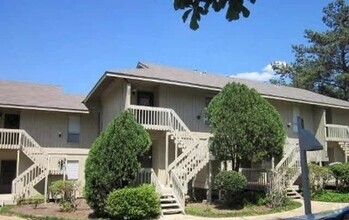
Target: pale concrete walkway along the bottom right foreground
[317, 207]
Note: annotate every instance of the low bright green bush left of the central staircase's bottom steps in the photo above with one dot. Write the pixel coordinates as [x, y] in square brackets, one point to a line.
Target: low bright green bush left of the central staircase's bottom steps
[140, 202]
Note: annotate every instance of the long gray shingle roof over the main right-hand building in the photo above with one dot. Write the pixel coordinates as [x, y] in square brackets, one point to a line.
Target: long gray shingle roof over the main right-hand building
[168, 74]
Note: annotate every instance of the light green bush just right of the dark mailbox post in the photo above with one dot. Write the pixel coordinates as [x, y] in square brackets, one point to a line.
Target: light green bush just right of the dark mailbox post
[318, 176]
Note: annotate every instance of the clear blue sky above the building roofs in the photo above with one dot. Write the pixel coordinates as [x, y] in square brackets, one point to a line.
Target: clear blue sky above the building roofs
[72, 43]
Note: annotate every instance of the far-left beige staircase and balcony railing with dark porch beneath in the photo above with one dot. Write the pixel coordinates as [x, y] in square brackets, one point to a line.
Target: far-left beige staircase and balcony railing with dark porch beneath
[24, 163]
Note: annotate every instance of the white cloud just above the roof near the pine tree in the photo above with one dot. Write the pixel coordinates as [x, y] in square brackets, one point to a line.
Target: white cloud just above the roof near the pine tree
[264, 75]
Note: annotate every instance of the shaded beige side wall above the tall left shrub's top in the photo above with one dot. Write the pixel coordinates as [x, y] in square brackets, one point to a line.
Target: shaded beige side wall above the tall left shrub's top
[112, 102]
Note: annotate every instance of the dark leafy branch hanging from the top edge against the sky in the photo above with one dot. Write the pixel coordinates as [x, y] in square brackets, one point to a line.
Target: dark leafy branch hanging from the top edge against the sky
[198, 8]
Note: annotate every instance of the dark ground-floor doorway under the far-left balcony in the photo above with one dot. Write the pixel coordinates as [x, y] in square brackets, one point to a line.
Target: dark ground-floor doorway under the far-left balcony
[7, 174]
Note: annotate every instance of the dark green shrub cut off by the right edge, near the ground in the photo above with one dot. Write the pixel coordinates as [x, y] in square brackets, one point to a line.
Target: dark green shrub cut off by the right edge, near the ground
[340, 171]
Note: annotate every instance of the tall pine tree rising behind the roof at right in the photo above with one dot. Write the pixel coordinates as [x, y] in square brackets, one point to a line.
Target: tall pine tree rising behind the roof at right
[323, 65]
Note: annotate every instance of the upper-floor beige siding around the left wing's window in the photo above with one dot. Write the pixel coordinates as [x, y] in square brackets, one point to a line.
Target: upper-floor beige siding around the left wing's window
[50, 129]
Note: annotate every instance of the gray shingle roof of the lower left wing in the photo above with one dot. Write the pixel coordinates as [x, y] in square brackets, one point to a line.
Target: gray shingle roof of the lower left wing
[38, 96]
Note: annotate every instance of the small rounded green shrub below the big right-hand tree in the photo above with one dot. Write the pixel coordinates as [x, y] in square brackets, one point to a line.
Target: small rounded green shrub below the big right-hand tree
[230, 182]
